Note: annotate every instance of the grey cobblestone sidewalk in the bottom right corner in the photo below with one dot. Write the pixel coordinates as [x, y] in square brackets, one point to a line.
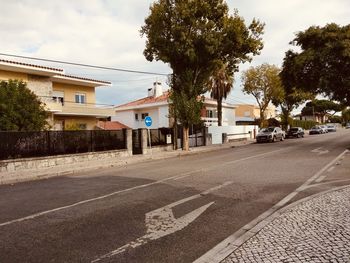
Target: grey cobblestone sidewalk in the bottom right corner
[317, 230]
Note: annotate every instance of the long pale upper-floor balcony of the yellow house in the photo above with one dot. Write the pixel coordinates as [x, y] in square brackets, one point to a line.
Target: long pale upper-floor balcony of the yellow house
[78, 109]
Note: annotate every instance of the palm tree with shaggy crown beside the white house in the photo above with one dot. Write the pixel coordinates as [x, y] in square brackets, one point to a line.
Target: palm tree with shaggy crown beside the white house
[220, 84]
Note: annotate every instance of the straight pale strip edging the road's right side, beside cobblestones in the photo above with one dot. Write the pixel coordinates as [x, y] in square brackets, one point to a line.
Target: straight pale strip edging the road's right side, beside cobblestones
[231, 243]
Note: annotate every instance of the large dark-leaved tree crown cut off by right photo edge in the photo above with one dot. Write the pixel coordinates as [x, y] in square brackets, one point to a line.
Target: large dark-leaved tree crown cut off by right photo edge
[323, 65]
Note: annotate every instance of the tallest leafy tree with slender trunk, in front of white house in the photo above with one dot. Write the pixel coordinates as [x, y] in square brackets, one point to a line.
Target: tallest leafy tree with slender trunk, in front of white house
[194, 38]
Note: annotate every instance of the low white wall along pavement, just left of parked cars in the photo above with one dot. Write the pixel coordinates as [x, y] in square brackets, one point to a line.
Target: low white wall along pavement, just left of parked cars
[231, 132]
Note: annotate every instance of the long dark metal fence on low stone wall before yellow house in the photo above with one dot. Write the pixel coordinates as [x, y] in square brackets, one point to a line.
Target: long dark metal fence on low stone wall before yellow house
[36, 144]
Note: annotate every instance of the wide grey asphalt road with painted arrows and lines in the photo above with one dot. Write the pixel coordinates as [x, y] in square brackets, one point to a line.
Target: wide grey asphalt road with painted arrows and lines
[171, 210]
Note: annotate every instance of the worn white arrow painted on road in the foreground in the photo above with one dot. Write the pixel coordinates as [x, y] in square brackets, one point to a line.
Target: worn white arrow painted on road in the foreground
[162, 222]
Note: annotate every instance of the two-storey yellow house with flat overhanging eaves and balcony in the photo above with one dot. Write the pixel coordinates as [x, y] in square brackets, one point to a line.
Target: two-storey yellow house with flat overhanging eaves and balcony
[70, 100]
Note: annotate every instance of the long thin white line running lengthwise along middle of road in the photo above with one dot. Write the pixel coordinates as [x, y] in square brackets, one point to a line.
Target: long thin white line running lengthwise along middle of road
[175, 177]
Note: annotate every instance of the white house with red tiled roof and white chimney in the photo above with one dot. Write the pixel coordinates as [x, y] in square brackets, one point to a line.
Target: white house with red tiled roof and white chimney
[156, 105]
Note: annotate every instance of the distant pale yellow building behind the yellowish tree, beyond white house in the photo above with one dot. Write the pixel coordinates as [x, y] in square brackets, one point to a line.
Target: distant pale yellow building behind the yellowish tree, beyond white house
[251, 111]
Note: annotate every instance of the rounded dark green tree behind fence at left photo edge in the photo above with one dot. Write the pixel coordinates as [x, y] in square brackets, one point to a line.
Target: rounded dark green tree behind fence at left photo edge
[20, 108]
